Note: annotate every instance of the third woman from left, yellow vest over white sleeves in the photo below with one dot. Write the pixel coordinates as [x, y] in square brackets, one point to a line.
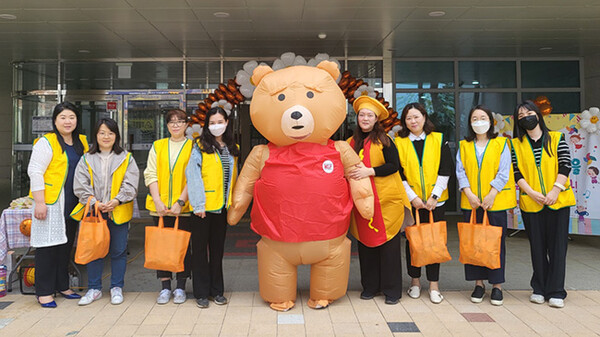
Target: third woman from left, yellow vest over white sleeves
[165, 177]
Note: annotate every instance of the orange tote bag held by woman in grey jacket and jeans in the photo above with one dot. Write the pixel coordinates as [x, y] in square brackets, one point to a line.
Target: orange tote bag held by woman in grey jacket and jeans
[93, 240]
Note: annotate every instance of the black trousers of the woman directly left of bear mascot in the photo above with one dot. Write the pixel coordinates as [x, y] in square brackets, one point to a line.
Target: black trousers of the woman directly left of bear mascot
[208, 246]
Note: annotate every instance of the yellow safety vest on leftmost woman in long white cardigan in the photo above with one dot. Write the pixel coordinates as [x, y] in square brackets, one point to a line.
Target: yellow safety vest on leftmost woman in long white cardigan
[57, 170]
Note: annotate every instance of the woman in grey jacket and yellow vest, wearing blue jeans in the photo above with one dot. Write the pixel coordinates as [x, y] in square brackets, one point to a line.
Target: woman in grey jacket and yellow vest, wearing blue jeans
[110, 176]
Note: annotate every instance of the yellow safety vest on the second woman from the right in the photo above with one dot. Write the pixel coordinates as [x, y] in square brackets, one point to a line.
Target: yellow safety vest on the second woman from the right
[480, 175]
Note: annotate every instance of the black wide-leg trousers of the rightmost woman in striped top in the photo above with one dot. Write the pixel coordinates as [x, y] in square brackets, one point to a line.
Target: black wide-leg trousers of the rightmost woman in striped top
[548, 233]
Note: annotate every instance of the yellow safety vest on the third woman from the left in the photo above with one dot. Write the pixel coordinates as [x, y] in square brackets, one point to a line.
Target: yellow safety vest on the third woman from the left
[171, 180]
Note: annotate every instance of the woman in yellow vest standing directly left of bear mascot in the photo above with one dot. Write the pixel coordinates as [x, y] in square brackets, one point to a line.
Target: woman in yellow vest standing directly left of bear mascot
[211, 173]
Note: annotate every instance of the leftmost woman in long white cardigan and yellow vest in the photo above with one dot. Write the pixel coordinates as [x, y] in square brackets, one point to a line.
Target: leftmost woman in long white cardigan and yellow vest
[51, 170]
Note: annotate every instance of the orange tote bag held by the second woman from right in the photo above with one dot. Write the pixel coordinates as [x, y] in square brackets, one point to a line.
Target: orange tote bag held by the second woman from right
[480, 243]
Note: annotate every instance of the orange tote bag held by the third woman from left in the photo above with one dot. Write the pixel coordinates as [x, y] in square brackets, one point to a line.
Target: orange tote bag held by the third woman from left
[165, 247]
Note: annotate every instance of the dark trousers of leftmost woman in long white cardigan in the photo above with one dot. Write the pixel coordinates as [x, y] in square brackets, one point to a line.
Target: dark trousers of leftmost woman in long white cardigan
[52, 263]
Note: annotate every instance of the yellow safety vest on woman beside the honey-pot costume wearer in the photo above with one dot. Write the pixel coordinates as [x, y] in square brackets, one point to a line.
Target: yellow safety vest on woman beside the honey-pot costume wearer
[422, 178]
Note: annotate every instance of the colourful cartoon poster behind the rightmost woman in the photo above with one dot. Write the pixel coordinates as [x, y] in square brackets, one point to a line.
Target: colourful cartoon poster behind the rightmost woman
[584, 142]
